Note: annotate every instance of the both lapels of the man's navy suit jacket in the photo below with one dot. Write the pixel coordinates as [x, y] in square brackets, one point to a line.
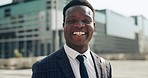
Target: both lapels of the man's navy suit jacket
[66, 67]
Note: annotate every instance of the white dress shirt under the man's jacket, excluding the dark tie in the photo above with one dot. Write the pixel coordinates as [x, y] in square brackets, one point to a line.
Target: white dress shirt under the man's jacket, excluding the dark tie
[72, 54]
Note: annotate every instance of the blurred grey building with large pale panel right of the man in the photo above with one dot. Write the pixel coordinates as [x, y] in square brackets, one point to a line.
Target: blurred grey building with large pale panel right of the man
[116, 33]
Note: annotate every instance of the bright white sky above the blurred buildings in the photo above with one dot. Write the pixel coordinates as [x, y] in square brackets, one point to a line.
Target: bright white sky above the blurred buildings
[123, 7]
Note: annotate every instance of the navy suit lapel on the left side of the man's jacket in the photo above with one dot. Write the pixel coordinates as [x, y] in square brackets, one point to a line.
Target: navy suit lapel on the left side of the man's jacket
[65, 64]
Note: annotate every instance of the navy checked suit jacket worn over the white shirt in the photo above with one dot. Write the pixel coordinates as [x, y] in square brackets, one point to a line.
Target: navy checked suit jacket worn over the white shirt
[57, 65]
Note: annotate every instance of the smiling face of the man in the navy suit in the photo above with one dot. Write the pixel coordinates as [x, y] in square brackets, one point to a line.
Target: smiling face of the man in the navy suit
[78, 26]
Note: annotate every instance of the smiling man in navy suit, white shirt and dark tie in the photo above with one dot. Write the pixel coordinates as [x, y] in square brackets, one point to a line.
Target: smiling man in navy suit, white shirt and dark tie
[78, 24]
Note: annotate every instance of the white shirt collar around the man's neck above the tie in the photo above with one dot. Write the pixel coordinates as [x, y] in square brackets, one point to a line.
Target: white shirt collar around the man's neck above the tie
[73, 53]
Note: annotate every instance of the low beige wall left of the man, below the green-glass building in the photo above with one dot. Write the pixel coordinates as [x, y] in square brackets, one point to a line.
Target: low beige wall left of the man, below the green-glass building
[18, 63]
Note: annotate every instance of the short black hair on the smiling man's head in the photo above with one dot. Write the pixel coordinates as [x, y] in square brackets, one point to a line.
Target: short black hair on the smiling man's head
[77, 2]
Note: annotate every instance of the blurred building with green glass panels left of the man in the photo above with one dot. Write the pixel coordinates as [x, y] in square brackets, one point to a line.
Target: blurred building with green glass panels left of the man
[29, 26]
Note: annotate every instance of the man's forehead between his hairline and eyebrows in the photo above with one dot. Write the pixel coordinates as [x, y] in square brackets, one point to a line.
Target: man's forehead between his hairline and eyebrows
[79, 8]
